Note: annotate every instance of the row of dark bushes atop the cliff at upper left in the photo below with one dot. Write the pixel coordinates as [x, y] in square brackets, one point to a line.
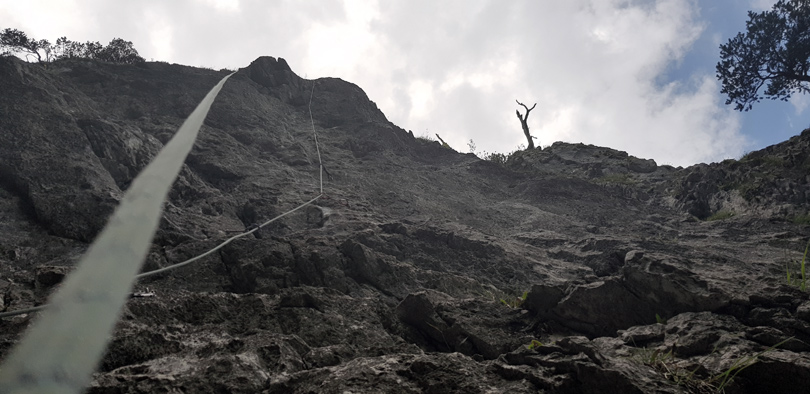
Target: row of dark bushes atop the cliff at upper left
[13, 41]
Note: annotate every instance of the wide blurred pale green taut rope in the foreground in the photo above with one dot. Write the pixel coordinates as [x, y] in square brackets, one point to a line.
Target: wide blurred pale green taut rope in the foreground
[60, 351]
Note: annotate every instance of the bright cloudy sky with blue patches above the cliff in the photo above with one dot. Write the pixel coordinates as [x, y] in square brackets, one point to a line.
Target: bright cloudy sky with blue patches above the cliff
[633, 75]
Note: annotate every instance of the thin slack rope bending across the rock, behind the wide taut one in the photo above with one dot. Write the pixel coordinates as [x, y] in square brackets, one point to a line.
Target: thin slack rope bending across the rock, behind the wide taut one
[229, 240]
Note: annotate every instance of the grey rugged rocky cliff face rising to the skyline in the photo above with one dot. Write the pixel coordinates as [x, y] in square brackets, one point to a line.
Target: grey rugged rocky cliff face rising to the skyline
[410, 273]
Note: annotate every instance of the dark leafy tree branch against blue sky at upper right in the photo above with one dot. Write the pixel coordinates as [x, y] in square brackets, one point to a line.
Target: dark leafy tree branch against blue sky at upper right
[775, 48]
